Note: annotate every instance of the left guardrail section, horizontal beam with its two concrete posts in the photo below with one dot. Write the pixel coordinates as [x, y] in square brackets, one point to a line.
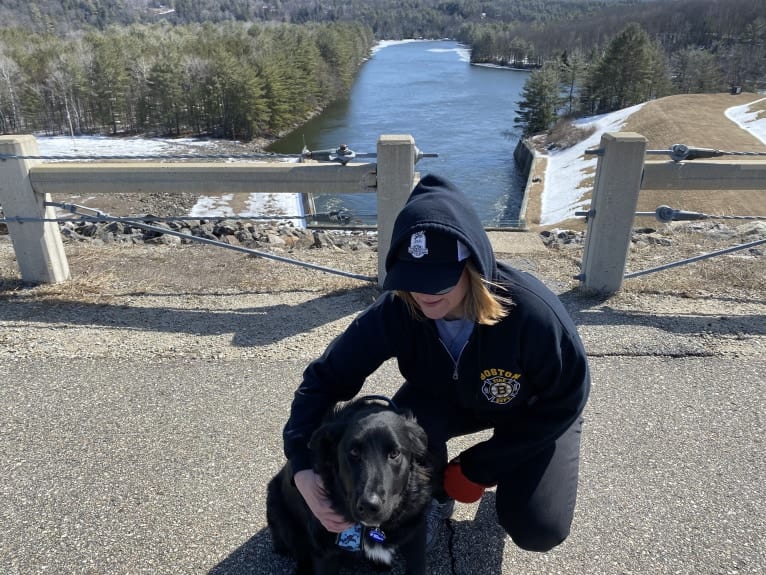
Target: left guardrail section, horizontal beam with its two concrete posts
[26, 185]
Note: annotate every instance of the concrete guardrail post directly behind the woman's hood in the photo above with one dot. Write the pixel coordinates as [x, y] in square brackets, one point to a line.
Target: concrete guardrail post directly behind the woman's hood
[396, 177]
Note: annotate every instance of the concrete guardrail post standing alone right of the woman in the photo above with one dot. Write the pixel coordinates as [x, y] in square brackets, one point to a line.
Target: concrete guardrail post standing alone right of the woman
[613, 208]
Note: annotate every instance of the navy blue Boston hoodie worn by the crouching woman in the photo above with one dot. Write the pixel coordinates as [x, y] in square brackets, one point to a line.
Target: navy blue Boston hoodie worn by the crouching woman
[527, 376]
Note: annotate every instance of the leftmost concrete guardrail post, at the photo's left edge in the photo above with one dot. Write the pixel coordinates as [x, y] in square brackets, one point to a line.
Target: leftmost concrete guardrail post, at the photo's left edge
[38, 246]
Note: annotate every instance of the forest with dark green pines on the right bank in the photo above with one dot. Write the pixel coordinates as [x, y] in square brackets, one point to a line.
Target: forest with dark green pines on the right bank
[701, 46]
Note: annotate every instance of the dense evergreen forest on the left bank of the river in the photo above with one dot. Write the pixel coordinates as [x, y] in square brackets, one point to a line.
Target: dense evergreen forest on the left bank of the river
[233, 80]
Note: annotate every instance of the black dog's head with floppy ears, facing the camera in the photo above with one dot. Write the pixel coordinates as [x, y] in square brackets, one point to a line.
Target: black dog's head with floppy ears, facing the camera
[373, 463]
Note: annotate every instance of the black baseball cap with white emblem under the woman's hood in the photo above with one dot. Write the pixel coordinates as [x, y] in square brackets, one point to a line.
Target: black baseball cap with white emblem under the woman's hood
[427, 262]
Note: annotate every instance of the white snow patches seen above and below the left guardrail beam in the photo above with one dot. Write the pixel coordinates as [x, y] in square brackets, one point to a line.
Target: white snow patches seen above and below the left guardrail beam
[207, 206]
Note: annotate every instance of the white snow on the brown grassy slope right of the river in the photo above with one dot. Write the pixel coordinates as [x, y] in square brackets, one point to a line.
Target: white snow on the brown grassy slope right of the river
[567, 169]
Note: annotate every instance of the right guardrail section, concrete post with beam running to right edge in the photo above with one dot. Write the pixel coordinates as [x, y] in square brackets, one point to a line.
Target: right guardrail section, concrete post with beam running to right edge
[621, 173]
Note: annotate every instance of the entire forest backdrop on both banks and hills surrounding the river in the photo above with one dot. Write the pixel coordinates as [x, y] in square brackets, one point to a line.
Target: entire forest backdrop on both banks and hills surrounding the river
[243, 68]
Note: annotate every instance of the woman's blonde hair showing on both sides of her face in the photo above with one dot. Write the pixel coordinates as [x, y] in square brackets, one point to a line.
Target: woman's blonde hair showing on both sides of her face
[481, 304]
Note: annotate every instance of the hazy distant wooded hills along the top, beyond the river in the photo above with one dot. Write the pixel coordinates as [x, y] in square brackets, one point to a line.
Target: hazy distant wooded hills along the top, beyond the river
[389, 19]
